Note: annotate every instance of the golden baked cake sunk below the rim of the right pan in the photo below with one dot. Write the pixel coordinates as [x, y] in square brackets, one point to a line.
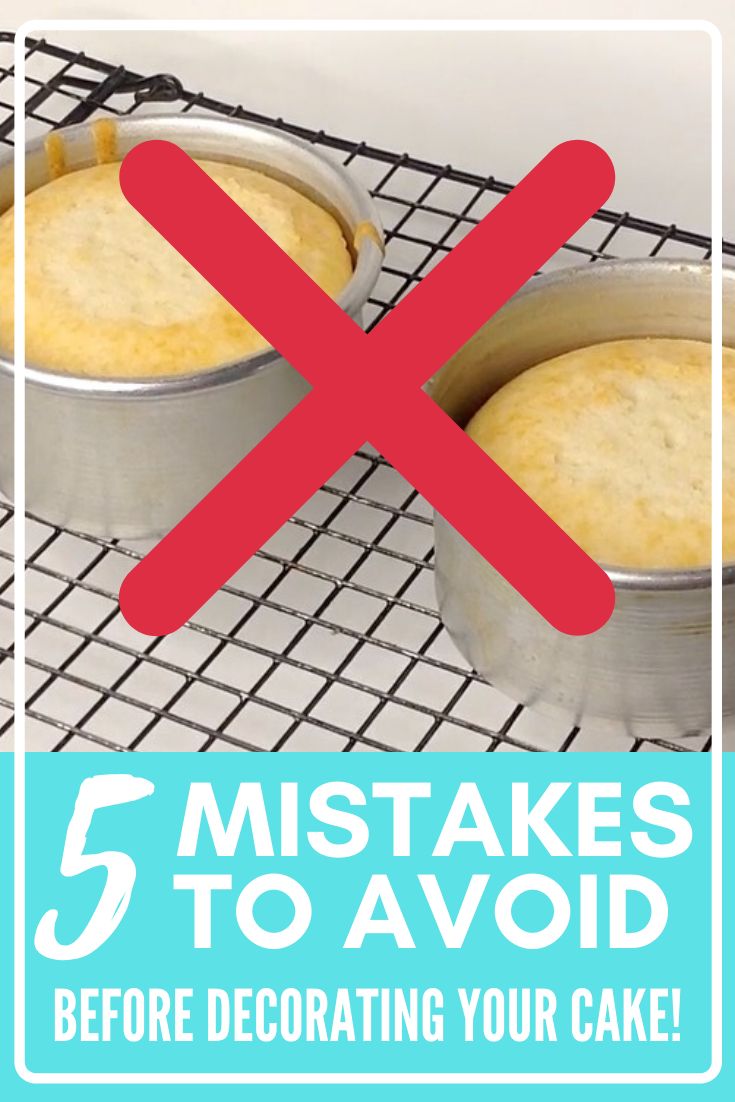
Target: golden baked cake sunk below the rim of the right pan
[613, 441]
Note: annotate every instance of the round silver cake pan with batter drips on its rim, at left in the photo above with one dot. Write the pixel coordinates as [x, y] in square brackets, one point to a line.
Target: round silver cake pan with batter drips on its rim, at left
[129, 458]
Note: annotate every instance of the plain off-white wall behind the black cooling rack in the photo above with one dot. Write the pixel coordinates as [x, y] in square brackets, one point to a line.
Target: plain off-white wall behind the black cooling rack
[490, 102]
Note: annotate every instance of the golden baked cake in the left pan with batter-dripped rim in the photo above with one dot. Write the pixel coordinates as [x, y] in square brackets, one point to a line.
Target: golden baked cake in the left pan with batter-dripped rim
[109, 297]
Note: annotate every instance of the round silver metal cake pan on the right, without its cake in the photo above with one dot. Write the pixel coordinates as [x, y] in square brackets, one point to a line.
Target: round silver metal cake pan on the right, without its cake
[650, 668]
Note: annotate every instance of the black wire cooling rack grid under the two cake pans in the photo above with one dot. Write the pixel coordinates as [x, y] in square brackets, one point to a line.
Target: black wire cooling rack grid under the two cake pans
[329, 640]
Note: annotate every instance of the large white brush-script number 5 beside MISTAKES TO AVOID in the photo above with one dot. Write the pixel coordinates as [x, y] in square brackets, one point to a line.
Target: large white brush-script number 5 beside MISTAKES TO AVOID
[95, 793]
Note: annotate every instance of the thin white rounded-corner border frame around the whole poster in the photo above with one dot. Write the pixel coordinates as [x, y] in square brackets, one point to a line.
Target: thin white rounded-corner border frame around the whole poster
[19, 548]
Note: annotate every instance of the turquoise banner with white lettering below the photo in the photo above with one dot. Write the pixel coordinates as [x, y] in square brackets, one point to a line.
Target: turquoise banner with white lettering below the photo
[438, 915]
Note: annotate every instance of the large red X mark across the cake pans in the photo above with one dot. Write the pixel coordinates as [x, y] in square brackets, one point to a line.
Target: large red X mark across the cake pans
[366, 387]
